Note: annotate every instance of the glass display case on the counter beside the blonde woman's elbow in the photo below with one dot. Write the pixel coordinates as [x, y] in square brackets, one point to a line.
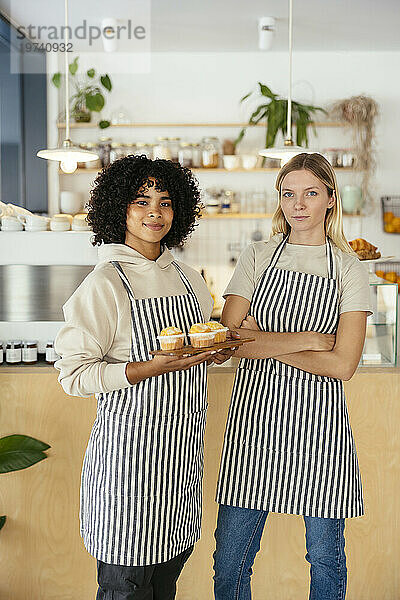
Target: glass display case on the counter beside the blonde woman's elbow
[380, 348]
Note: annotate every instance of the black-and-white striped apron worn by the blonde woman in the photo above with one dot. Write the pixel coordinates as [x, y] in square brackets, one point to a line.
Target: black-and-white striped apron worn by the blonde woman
[288, 444]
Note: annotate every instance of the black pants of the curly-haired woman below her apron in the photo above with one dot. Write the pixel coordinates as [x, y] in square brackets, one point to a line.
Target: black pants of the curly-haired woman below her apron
[152, 582]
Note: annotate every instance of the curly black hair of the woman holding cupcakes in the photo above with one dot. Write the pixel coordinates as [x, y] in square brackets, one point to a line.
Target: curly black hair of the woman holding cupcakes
[117, 186]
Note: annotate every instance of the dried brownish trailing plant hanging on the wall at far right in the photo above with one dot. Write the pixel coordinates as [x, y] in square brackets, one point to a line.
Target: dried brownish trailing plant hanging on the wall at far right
[360, 113]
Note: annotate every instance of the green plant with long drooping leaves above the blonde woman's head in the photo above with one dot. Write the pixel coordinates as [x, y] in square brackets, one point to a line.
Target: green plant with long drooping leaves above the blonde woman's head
[273, 111]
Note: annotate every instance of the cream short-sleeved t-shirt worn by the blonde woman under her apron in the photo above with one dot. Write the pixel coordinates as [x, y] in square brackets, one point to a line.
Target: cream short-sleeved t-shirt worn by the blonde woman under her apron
[352, 276]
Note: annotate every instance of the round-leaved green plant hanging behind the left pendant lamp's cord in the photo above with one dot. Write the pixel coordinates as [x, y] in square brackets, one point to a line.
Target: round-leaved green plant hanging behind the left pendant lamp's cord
[88, 96]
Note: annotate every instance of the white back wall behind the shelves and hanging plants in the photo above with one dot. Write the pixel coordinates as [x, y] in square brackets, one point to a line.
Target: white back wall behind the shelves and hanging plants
[206, 87]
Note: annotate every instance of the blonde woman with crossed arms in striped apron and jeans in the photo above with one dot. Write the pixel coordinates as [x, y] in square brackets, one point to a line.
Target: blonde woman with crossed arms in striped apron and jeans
[288, 443]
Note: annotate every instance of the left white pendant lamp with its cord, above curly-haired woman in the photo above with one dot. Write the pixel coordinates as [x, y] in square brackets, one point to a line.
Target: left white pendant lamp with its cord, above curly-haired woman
[69, 154]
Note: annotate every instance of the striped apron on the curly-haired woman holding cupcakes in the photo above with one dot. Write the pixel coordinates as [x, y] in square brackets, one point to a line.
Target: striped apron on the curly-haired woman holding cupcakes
[141, 486]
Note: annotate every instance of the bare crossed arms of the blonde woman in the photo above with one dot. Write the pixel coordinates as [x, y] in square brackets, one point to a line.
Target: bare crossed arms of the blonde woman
[321, 354]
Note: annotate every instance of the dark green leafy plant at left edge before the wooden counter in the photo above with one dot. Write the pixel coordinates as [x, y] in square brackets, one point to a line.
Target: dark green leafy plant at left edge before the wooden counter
[19, 452]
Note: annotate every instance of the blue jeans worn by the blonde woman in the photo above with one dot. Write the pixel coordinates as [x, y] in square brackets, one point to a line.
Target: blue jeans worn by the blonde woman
[238, 536]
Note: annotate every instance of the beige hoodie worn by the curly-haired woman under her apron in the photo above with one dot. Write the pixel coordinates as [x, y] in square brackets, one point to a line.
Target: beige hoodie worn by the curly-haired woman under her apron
[94, 343]
